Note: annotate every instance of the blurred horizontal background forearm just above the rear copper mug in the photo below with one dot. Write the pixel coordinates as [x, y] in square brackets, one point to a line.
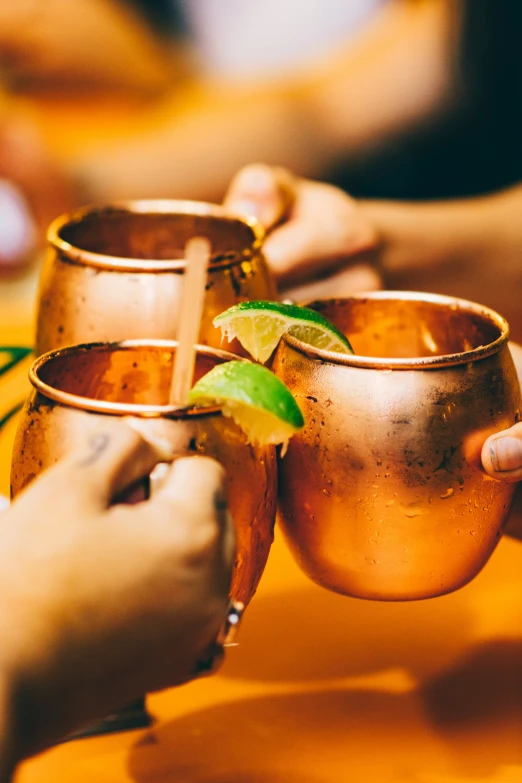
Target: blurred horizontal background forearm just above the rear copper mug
[194, 144]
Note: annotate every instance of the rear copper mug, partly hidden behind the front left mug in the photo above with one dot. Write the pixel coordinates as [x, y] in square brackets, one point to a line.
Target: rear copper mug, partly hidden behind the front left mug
[116, 272]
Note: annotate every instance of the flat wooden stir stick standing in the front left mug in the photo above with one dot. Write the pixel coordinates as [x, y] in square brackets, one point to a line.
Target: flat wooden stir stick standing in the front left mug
[197, 256]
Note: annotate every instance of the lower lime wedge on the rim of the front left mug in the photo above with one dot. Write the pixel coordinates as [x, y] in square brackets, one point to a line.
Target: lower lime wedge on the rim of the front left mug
[254, 397]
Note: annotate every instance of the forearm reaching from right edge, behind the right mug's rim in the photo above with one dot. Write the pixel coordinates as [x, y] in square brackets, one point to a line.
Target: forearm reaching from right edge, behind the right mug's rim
[469, 249]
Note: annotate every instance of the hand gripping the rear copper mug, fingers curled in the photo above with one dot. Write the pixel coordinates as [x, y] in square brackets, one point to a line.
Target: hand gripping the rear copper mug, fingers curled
[320, 243]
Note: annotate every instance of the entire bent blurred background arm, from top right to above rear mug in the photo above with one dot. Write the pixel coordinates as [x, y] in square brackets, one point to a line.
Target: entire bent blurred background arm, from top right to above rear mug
[400, 72]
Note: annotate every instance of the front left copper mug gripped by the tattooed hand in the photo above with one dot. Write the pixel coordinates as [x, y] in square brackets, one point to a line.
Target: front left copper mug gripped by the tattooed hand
[81, 390]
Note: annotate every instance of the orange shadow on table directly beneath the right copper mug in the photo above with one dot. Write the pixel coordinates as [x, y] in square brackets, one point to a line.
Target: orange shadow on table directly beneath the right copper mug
[312, 634]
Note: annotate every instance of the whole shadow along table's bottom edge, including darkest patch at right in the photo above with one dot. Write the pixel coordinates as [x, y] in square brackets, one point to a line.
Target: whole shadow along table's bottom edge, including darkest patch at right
[464, 724]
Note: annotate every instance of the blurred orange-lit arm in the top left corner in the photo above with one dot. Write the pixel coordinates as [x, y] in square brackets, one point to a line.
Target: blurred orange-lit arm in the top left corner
[58, 43]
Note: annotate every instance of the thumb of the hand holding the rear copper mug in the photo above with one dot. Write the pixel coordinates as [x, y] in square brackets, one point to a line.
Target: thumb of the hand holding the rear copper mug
[264, 192]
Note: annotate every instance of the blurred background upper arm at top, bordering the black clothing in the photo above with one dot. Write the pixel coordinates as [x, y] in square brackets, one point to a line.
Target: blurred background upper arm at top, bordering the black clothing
[400, 72]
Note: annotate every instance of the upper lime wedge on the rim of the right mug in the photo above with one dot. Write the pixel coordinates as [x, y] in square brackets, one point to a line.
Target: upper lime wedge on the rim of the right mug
[260, 325]
